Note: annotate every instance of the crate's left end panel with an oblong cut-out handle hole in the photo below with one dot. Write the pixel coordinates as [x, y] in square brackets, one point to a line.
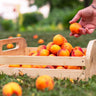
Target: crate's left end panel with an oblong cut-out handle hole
[19, 49]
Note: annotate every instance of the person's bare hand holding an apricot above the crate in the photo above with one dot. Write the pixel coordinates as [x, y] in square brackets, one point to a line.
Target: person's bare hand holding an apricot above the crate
[87, 18]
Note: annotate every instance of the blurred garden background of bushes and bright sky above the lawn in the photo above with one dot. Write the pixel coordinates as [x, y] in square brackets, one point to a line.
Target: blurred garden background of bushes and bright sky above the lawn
[40, 15]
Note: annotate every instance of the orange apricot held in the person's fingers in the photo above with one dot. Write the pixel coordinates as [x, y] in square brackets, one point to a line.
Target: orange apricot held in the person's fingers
[74, 28]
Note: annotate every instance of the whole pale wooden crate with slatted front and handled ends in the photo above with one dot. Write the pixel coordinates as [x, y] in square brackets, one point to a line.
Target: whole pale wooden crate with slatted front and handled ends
[19, 55]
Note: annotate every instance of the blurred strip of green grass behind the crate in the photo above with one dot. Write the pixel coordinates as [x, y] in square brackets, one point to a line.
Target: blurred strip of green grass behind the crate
[48, 36]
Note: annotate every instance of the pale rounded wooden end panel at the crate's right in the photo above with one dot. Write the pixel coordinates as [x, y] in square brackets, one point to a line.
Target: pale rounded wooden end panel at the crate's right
[91, 59]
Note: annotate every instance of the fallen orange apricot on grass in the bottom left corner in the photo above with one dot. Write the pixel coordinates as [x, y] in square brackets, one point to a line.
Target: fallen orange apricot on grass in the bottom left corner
[12, 88]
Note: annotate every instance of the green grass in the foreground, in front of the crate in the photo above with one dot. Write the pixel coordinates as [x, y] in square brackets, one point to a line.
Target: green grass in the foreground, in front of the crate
[62, 87]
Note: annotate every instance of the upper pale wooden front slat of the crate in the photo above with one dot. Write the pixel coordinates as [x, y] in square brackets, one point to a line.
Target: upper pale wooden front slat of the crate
[43, 60]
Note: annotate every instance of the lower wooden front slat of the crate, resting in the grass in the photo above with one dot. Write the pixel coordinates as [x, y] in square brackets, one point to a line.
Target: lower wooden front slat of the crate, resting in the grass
[34, 72]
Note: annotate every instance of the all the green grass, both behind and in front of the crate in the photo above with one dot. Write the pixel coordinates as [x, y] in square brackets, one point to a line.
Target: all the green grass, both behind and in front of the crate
[62, 87]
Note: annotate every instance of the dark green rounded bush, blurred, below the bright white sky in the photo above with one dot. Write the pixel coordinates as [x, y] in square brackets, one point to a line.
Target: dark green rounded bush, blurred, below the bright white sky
[31, 18]
